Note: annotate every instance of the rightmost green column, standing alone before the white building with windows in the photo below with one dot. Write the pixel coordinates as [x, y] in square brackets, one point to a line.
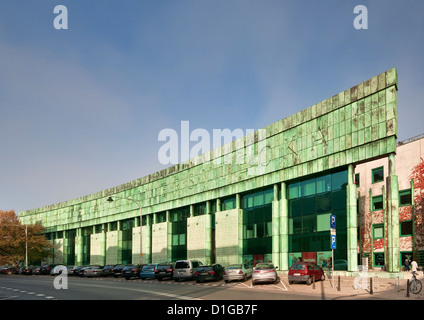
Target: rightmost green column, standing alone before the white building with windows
[392, 186]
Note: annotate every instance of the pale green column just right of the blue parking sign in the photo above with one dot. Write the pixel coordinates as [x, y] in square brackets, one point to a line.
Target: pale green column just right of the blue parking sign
[352, 221]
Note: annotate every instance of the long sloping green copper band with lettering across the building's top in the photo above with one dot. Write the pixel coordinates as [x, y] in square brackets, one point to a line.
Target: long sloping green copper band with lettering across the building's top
[355, 125]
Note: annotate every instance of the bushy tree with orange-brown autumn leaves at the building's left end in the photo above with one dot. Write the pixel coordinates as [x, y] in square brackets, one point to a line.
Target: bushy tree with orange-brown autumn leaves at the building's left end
[14, 237]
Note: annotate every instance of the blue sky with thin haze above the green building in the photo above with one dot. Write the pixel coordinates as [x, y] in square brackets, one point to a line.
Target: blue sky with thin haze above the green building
[81, 109]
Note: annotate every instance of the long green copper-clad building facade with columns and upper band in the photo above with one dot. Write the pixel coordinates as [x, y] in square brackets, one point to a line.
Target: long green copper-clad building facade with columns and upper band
[222, 206]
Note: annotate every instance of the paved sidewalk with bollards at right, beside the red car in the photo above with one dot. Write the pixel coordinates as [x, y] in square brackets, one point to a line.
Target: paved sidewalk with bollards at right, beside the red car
[383, 288]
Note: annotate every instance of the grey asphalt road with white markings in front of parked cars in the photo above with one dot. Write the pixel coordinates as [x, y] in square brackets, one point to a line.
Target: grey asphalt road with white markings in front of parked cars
[21, 287]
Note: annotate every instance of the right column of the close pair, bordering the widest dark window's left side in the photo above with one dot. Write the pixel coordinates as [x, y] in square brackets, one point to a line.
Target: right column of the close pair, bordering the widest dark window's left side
[284, 229]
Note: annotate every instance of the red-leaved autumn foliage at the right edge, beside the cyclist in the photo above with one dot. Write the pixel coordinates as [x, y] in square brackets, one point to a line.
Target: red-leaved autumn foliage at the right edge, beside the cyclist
[418, 176]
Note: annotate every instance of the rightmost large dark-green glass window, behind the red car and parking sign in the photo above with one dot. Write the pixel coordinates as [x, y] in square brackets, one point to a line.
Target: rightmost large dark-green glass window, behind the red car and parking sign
[311, 202]
